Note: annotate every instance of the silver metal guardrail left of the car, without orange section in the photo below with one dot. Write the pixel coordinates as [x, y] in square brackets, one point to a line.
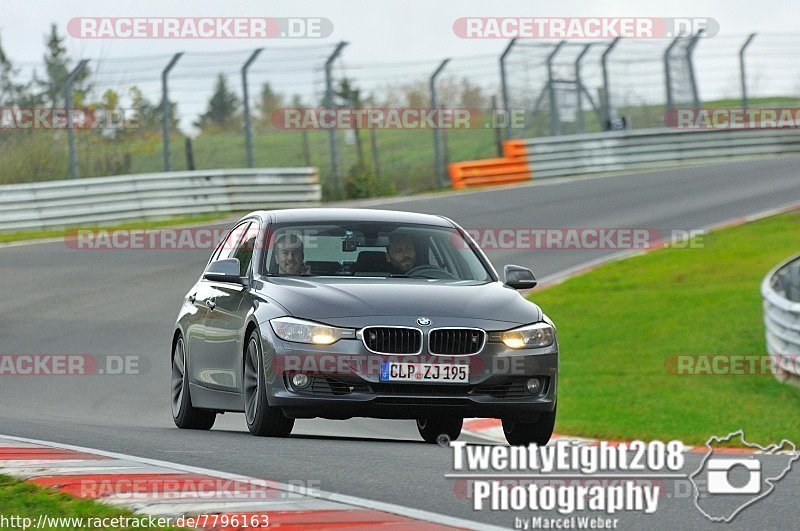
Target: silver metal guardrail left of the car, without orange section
[154, 195]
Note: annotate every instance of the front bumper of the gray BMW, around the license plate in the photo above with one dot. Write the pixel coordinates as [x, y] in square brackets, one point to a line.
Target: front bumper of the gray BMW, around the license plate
[345, 383]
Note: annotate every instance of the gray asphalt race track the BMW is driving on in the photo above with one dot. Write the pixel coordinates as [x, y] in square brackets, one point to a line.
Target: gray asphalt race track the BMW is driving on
[59, 300]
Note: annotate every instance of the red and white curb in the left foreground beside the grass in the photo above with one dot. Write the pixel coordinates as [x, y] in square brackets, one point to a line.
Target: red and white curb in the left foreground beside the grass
[159, 488]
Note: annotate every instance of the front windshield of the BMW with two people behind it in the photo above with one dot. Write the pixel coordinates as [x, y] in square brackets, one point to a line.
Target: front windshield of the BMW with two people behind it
[372, 249]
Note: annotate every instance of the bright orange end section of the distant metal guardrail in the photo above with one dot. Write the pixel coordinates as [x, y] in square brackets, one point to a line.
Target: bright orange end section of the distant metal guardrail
[509, 169]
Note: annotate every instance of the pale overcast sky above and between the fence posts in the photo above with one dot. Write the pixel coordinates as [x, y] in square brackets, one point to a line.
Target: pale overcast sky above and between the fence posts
[418, 33]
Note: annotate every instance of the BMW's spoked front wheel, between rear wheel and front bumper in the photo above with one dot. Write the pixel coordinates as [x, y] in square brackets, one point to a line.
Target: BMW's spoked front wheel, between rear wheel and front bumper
[262, 419]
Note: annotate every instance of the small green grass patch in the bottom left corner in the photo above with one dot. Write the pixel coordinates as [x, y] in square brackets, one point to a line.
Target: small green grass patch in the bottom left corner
[18, 498]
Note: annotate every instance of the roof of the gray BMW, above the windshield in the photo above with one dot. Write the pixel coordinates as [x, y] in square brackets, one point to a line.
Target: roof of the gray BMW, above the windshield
[302, 215]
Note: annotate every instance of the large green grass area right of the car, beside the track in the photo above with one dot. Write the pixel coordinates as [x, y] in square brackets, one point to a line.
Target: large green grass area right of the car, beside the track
[620, 323]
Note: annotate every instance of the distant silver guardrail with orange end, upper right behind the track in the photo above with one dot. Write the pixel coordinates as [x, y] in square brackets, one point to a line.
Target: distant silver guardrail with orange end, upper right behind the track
[624, 150]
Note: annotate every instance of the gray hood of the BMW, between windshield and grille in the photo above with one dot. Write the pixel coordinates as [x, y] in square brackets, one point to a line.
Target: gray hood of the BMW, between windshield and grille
[335, 298]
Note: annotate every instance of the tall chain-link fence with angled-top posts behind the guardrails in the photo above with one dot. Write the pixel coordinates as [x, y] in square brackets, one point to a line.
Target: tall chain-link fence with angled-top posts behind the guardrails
[544, 88]
